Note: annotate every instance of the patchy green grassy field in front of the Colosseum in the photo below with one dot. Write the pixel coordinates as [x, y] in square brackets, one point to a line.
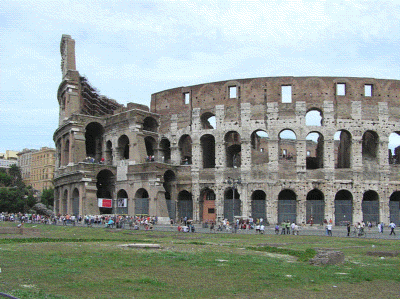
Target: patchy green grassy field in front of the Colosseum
[80, 262]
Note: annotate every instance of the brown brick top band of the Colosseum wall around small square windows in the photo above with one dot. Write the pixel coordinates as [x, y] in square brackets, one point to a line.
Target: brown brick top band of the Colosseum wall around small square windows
[259, 92]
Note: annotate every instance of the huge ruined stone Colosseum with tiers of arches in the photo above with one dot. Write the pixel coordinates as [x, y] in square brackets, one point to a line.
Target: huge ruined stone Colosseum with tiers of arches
[304, 149]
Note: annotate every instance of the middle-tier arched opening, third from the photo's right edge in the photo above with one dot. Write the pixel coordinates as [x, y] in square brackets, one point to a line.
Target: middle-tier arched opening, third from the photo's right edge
[342, 144]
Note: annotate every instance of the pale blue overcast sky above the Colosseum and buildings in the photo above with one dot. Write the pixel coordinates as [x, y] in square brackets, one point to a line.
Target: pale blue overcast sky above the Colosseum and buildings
[131, 49]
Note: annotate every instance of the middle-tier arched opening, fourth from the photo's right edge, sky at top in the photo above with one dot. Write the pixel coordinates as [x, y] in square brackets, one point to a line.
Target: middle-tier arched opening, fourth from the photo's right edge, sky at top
[314, 150]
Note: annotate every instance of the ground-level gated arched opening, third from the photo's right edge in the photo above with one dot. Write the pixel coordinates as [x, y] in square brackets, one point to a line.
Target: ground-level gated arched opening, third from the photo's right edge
[343, 208]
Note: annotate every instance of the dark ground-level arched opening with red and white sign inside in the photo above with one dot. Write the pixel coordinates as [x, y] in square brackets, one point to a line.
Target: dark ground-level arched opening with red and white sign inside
[105, 186]
